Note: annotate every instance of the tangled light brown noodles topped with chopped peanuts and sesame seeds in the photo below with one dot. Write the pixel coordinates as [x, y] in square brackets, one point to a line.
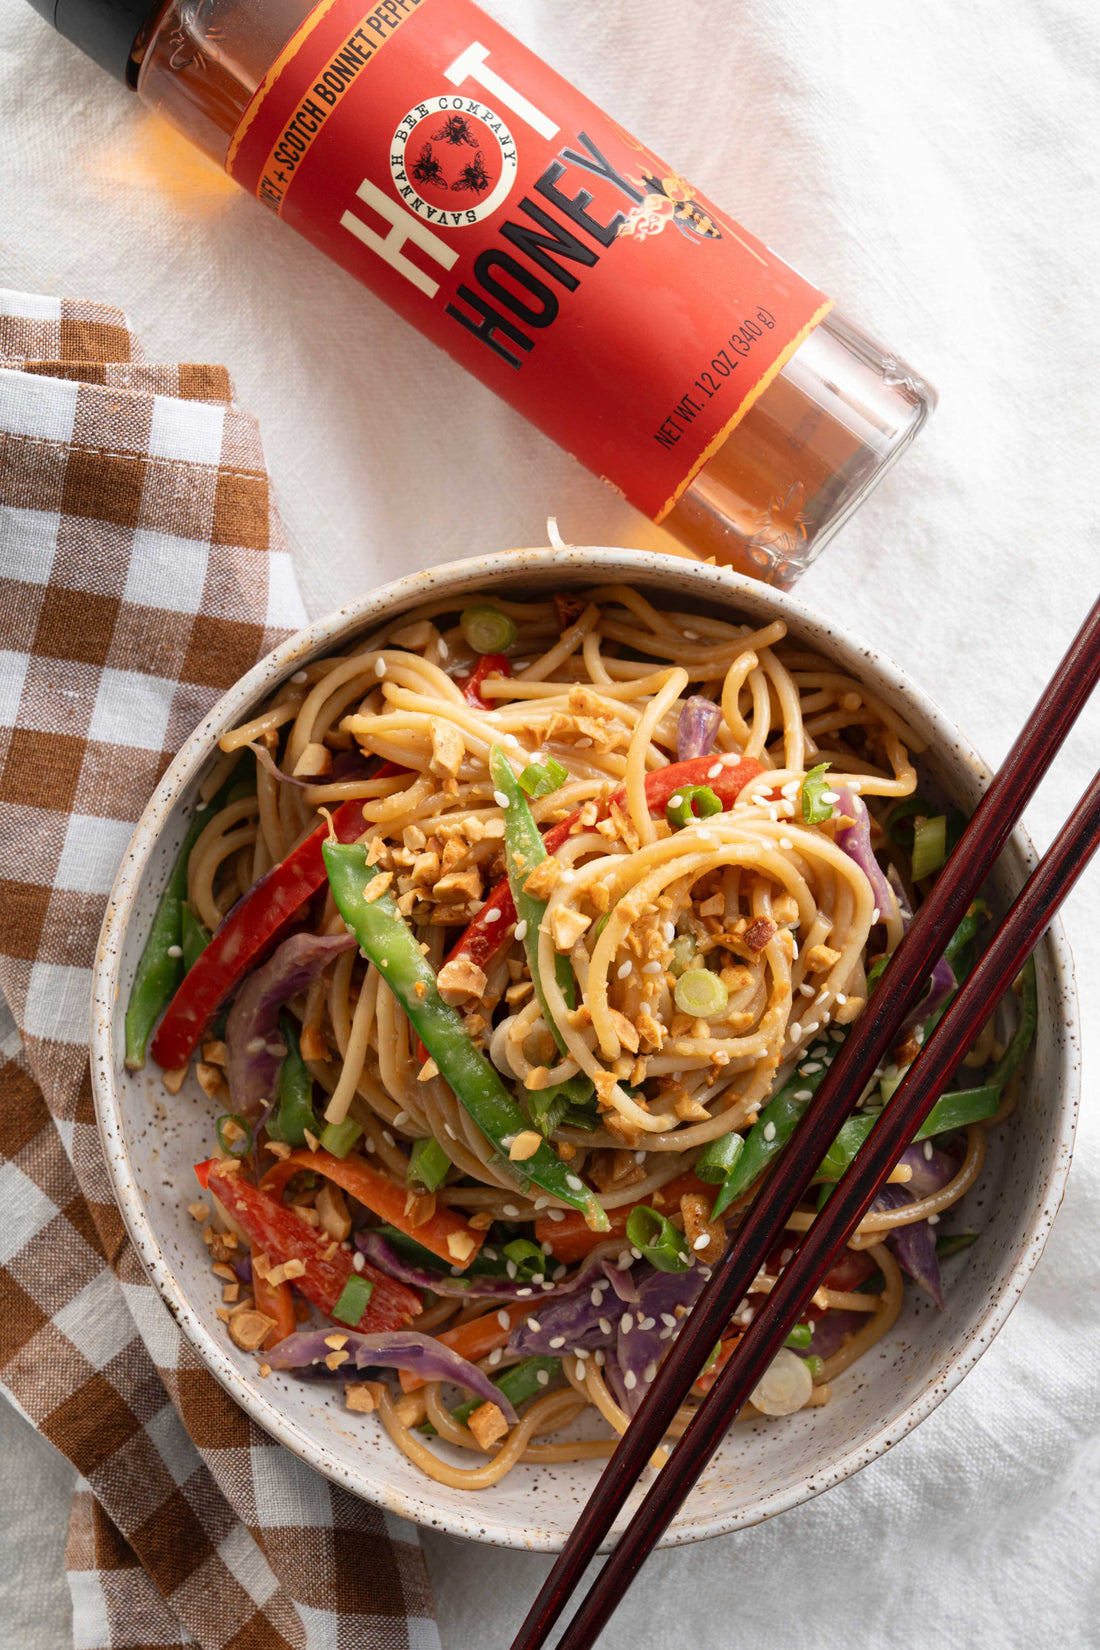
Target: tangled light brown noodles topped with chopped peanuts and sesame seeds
[753, 892]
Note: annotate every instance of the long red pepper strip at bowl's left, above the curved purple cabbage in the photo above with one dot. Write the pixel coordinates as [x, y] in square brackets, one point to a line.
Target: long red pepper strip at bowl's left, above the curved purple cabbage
[243, 936]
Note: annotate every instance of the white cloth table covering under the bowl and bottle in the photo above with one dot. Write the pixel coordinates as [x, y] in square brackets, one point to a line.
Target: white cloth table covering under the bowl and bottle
[936, 169]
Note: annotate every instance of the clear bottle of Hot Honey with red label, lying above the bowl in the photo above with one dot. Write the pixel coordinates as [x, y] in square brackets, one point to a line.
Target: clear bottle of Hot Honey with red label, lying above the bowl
[552, 253]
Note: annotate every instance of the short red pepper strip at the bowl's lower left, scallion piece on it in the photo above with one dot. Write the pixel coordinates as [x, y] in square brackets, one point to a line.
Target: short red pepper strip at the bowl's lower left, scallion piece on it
[281, 1235]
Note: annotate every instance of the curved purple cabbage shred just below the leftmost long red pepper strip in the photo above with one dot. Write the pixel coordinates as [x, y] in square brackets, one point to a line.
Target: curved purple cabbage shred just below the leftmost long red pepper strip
[253, 1024]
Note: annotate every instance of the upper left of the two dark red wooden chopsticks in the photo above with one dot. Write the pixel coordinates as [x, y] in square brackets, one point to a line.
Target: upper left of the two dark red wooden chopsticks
[852, 1070]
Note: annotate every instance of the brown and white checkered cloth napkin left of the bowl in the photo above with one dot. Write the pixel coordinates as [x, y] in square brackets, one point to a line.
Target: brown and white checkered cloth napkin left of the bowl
[143, 572]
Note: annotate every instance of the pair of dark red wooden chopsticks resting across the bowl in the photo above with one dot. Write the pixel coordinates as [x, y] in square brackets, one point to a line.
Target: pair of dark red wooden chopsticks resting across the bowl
[766, 1220]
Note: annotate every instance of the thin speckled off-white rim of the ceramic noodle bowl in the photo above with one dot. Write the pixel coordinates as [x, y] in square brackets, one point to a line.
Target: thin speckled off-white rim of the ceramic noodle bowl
[575, 563]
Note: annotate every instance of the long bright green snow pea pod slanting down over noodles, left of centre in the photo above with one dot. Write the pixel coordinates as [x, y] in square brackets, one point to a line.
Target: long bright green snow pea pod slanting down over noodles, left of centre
[388, 941]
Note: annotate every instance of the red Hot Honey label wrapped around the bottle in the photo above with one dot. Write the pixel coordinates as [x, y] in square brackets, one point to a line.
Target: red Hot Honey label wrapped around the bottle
[514, 224]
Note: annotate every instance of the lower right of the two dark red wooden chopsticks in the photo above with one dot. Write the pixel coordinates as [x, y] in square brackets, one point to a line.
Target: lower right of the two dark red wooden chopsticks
[850, 1202]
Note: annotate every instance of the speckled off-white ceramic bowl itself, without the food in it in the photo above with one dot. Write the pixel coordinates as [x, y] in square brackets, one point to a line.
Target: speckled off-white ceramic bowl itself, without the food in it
[764, 1468]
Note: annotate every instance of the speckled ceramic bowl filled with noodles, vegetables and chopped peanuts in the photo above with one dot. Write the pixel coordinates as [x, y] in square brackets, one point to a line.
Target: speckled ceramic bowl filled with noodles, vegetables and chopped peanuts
[469, 973]
